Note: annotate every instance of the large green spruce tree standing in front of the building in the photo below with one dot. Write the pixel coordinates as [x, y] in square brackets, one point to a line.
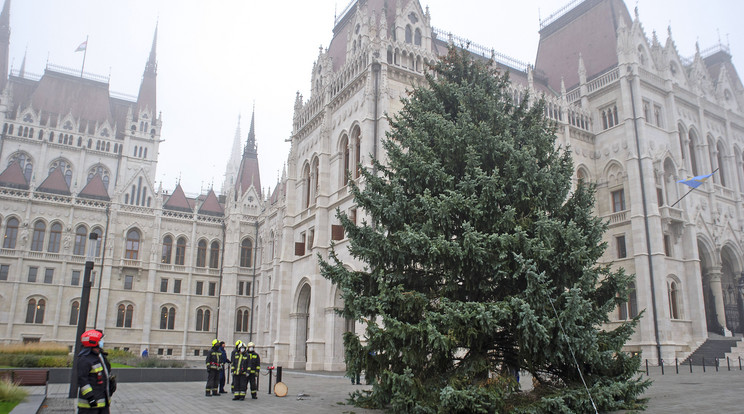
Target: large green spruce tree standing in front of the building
[480, 261]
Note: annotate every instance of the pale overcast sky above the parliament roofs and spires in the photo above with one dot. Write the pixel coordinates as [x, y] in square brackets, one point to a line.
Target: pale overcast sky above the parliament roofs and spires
[217, 58]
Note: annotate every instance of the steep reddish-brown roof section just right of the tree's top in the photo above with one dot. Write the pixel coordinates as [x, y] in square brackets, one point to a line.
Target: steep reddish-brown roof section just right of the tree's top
[567, 36]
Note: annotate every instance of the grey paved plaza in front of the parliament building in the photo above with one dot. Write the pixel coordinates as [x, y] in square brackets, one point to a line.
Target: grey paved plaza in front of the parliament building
[320, 392]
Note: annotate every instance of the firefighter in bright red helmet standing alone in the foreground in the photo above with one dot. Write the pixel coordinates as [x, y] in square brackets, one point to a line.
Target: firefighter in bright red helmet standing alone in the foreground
[95, 381]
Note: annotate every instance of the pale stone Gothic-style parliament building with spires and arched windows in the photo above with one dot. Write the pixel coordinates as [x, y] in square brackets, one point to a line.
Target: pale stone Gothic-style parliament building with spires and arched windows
[173, 272]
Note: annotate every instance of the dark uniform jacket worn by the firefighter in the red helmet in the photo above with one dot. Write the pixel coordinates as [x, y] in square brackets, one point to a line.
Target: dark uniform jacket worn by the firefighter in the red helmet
[94, 379]
